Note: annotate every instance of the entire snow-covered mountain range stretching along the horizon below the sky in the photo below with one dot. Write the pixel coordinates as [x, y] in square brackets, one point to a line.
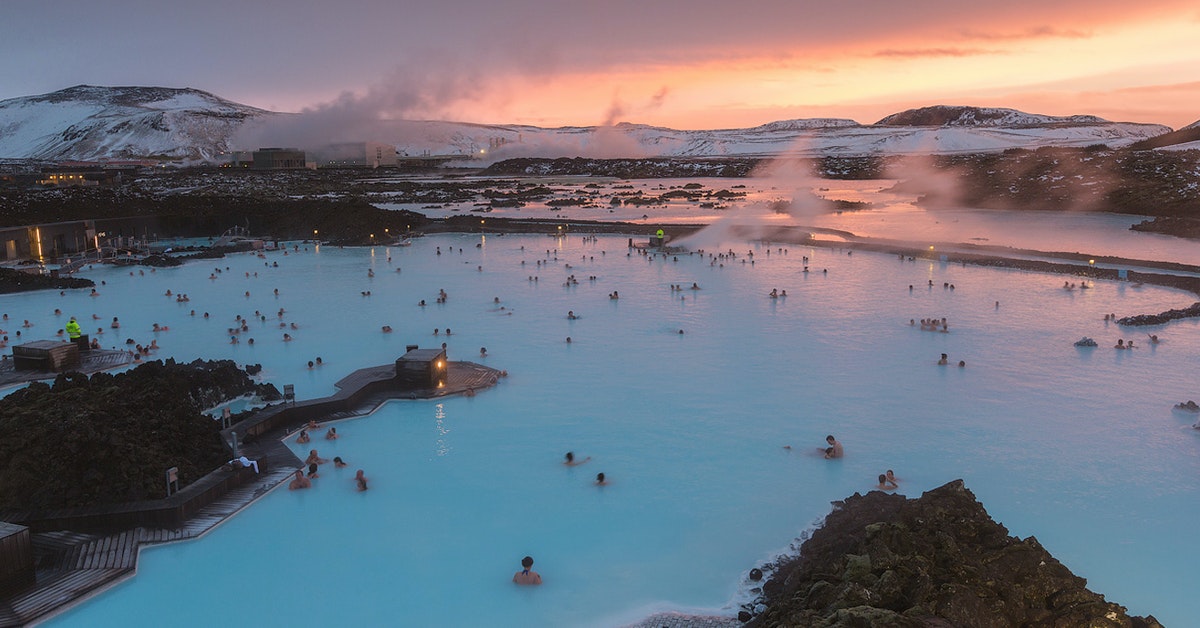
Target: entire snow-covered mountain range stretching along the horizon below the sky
[91, 123]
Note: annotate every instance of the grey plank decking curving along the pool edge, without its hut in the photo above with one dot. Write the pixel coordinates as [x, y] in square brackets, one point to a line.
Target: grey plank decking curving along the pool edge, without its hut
[73, 566]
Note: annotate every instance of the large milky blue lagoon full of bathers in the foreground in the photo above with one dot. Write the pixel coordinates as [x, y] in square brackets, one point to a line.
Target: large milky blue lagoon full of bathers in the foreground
[1078, 447]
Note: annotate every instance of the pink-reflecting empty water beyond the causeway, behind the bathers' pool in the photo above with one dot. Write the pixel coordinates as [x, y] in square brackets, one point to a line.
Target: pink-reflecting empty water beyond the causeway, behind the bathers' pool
[892, 216]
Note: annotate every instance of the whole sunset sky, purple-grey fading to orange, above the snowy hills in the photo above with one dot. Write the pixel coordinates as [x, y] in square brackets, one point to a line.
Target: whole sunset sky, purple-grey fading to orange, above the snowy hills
[686, 65]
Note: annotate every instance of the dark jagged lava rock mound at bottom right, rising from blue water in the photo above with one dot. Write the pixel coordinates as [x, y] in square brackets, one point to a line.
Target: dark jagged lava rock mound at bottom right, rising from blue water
[883, 560]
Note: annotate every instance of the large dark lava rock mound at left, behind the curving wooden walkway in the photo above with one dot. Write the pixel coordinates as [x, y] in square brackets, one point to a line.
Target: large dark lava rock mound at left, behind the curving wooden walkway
[107, 439]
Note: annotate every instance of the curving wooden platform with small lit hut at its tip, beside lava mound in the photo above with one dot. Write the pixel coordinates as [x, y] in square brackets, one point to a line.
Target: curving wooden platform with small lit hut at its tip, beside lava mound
[82, 552]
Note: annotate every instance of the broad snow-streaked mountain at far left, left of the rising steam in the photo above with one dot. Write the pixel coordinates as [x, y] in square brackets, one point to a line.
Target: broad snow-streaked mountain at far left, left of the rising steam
[94, 123]
